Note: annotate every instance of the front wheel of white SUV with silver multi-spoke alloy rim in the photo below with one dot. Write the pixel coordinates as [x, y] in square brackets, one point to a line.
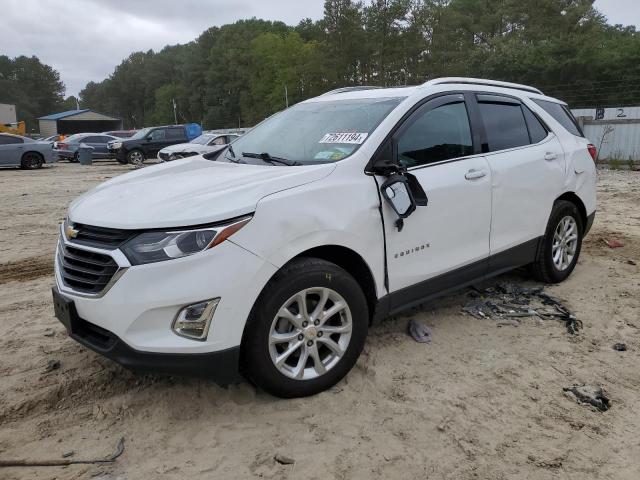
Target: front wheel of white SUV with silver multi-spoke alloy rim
[306, 330]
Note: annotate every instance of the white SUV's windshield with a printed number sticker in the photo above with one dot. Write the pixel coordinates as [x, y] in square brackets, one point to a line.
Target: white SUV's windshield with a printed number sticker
[315, 132]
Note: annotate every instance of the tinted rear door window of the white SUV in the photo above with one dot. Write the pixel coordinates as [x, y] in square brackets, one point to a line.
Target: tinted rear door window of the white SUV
[504, 125]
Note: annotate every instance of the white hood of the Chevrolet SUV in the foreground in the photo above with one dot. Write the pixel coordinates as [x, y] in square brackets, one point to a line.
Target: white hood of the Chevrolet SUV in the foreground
[191, 191]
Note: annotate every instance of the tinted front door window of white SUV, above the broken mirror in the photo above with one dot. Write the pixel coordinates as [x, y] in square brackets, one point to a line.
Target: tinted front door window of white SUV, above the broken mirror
[438, 134]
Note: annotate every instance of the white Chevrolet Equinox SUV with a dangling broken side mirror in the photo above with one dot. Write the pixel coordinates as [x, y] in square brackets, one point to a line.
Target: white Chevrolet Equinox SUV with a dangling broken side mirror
[274, 260]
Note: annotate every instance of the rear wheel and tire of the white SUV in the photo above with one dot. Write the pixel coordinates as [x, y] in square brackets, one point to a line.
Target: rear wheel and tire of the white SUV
[561, 245]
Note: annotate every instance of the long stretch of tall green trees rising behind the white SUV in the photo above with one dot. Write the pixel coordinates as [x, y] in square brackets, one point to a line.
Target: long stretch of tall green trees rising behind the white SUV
[240, 73]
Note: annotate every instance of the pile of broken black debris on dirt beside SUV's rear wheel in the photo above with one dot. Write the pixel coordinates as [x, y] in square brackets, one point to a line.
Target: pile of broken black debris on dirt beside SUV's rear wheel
[508, 302]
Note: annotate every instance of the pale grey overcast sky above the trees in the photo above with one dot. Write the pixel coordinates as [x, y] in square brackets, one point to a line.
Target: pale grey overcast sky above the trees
[85, 39]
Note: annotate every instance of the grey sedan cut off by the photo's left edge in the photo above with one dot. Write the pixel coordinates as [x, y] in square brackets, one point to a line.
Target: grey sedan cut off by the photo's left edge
[23, 152]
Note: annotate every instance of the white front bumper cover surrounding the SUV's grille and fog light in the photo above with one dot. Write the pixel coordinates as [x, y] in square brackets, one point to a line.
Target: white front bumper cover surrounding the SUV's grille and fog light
[139, 307]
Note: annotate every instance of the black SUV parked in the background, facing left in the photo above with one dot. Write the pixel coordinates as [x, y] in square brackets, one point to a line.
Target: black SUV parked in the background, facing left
[146, 143]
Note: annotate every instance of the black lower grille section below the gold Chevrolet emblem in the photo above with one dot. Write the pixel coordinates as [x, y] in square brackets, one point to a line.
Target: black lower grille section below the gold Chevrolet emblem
[85, 271]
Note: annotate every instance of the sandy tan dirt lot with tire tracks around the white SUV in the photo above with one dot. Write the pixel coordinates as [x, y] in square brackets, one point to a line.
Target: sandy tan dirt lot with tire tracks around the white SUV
[478, 402]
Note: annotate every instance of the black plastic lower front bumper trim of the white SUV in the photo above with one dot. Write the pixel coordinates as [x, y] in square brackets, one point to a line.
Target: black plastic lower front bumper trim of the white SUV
[220, 366]
